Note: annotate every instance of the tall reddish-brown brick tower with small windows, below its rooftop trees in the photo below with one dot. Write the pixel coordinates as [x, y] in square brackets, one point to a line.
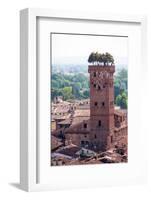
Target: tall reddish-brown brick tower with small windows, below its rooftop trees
[101, 106]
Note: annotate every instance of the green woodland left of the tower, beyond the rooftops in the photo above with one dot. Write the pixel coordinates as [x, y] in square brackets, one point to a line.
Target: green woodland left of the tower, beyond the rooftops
[69, 86]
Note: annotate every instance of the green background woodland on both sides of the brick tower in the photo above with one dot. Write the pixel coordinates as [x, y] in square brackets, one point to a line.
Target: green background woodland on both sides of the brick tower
[76, 86]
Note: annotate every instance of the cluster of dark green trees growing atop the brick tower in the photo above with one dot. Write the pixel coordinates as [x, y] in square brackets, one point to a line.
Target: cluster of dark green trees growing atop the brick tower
[102, 59]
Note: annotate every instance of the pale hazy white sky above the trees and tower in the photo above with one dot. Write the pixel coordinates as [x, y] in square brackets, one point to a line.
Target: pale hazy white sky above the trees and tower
[67, 48]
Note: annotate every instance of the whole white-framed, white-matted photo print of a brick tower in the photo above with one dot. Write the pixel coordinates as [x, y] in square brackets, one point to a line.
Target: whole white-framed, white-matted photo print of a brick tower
[81, 77]
